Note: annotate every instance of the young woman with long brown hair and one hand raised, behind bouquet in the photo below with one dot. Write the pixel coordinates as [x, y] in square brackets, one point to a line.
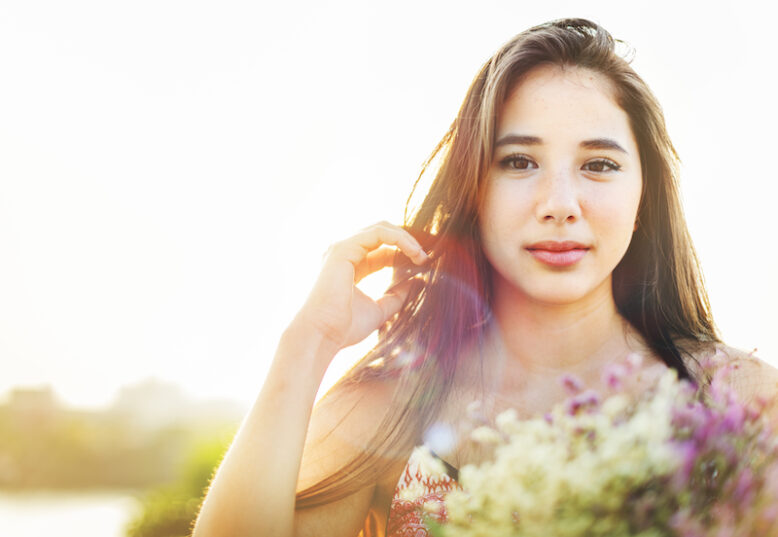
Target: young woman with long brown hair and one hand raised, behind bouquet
[551, 242]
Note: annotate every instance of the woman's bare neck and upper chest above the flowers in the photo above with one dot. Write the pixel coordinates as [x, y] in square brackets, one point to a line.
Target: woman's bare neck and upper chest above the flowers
[525, 351]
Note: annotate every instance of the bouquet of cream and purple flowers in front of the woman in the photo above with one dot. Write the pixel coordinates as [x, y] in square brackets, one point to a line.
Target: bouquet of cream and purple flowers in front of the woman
[666, 464]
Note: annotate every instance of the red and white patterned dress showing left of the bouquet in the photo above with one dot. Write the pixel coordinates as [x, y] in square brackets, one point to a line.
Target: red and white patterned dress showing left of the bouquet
[419, 493]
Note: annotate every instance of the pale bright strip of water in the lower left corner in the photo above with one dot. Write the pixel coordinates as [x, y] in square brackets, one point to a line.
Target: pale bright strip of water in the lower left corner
[41, 514]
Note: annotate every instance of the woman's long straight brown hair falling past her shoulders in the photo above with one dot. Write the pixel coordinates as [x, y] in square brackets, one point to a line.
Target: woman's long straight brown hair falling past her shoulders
[657, 286]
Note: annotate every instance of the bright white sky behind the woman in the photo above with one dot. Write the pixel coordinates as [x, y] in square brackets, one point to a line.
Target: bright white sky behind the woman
[172, 171]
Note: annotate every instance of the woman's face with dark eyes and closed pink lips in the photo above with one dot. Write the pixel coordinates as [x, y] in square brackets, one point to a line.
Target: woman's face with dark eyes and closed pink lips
[565, 168]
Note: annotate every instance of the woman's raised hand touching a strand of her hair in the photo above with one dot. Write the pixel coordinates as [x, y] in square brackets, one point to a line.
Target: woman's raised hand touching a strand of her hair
[336, 308]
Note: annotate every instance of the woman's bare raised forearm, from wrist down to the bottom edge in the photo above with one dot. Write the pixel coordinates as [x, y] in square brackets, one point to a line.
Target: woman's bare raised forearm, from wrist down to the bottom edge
[253, 492]
